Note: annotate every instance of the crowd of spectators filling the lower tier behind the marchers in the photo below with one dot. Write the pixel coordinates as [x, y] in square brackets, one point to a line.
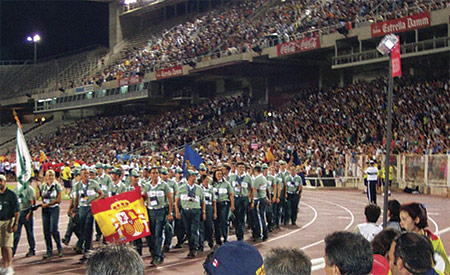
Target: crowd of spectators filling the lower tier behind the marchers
[322, 126]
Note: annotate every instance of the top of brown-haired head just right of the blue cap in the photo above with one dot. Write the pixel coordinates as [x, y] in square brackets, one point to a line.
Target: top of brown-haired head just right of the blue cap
[287, 261]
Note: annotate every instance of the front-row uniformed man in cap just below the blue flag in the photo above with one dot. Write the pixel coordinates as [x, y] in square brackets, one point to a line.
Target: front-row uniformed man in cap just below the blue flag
[192, 201]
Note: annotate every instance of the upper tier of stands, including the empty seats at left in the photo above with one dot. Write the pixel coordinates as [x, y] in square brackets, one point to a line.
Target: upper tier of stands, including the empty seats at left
[235, 27]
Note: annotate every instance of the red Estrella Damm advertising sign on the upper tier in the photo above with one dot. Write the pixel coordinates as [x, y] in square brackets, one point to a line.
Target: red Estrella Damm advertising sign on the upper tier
[403, 24]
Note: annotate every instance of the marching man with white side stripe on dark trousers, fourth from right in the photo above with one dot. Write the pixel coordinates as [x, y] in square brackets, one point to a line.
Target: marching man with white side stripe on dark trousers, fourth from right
[258, 205]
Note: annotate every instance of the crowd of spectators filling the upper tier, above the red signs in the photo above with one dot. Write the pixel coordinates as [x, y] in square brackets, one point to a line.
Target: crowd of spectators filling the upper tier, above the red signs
[235, 28]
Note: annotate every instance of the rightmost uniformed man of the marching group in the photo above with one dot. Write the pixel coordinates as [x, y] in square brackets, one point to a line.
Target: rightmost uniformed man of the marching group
[294, 191]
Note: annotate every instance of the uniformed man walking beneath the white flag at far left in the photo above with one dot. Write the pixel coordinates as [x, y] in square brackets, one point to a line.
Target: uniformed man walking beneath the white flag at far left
[27, 199]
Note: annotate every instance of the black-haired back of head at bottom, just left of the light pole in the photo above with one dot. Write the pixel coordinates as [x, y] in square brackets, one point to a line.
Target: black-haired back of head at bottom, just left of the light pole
[351, 253]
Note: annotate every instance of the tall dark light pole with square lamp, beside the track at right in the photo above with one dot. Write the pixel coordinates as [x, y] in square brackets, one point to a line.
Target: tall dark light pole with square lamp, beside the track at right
[386, 45]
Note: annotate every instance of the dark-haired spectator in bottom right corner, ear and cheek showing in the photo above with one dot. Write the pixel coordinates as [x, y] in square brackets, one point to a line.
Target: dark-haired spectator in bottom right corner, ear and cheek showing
[411, 253]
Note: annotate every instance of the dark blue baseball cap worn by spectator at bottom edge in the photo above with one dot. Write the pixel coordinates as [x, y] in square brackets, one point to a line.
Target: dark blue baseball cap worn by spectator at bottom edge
[236, 258]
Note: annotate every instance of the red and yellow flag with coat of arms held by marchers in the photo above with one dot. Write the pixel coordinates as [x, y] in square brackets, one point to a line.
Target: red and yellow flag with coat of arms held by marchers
[122, 218]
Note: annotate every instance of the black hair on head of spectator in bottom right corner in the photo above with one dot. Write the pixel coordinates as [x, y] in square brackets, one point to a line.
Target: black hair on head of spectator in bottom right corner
[416, 252]
